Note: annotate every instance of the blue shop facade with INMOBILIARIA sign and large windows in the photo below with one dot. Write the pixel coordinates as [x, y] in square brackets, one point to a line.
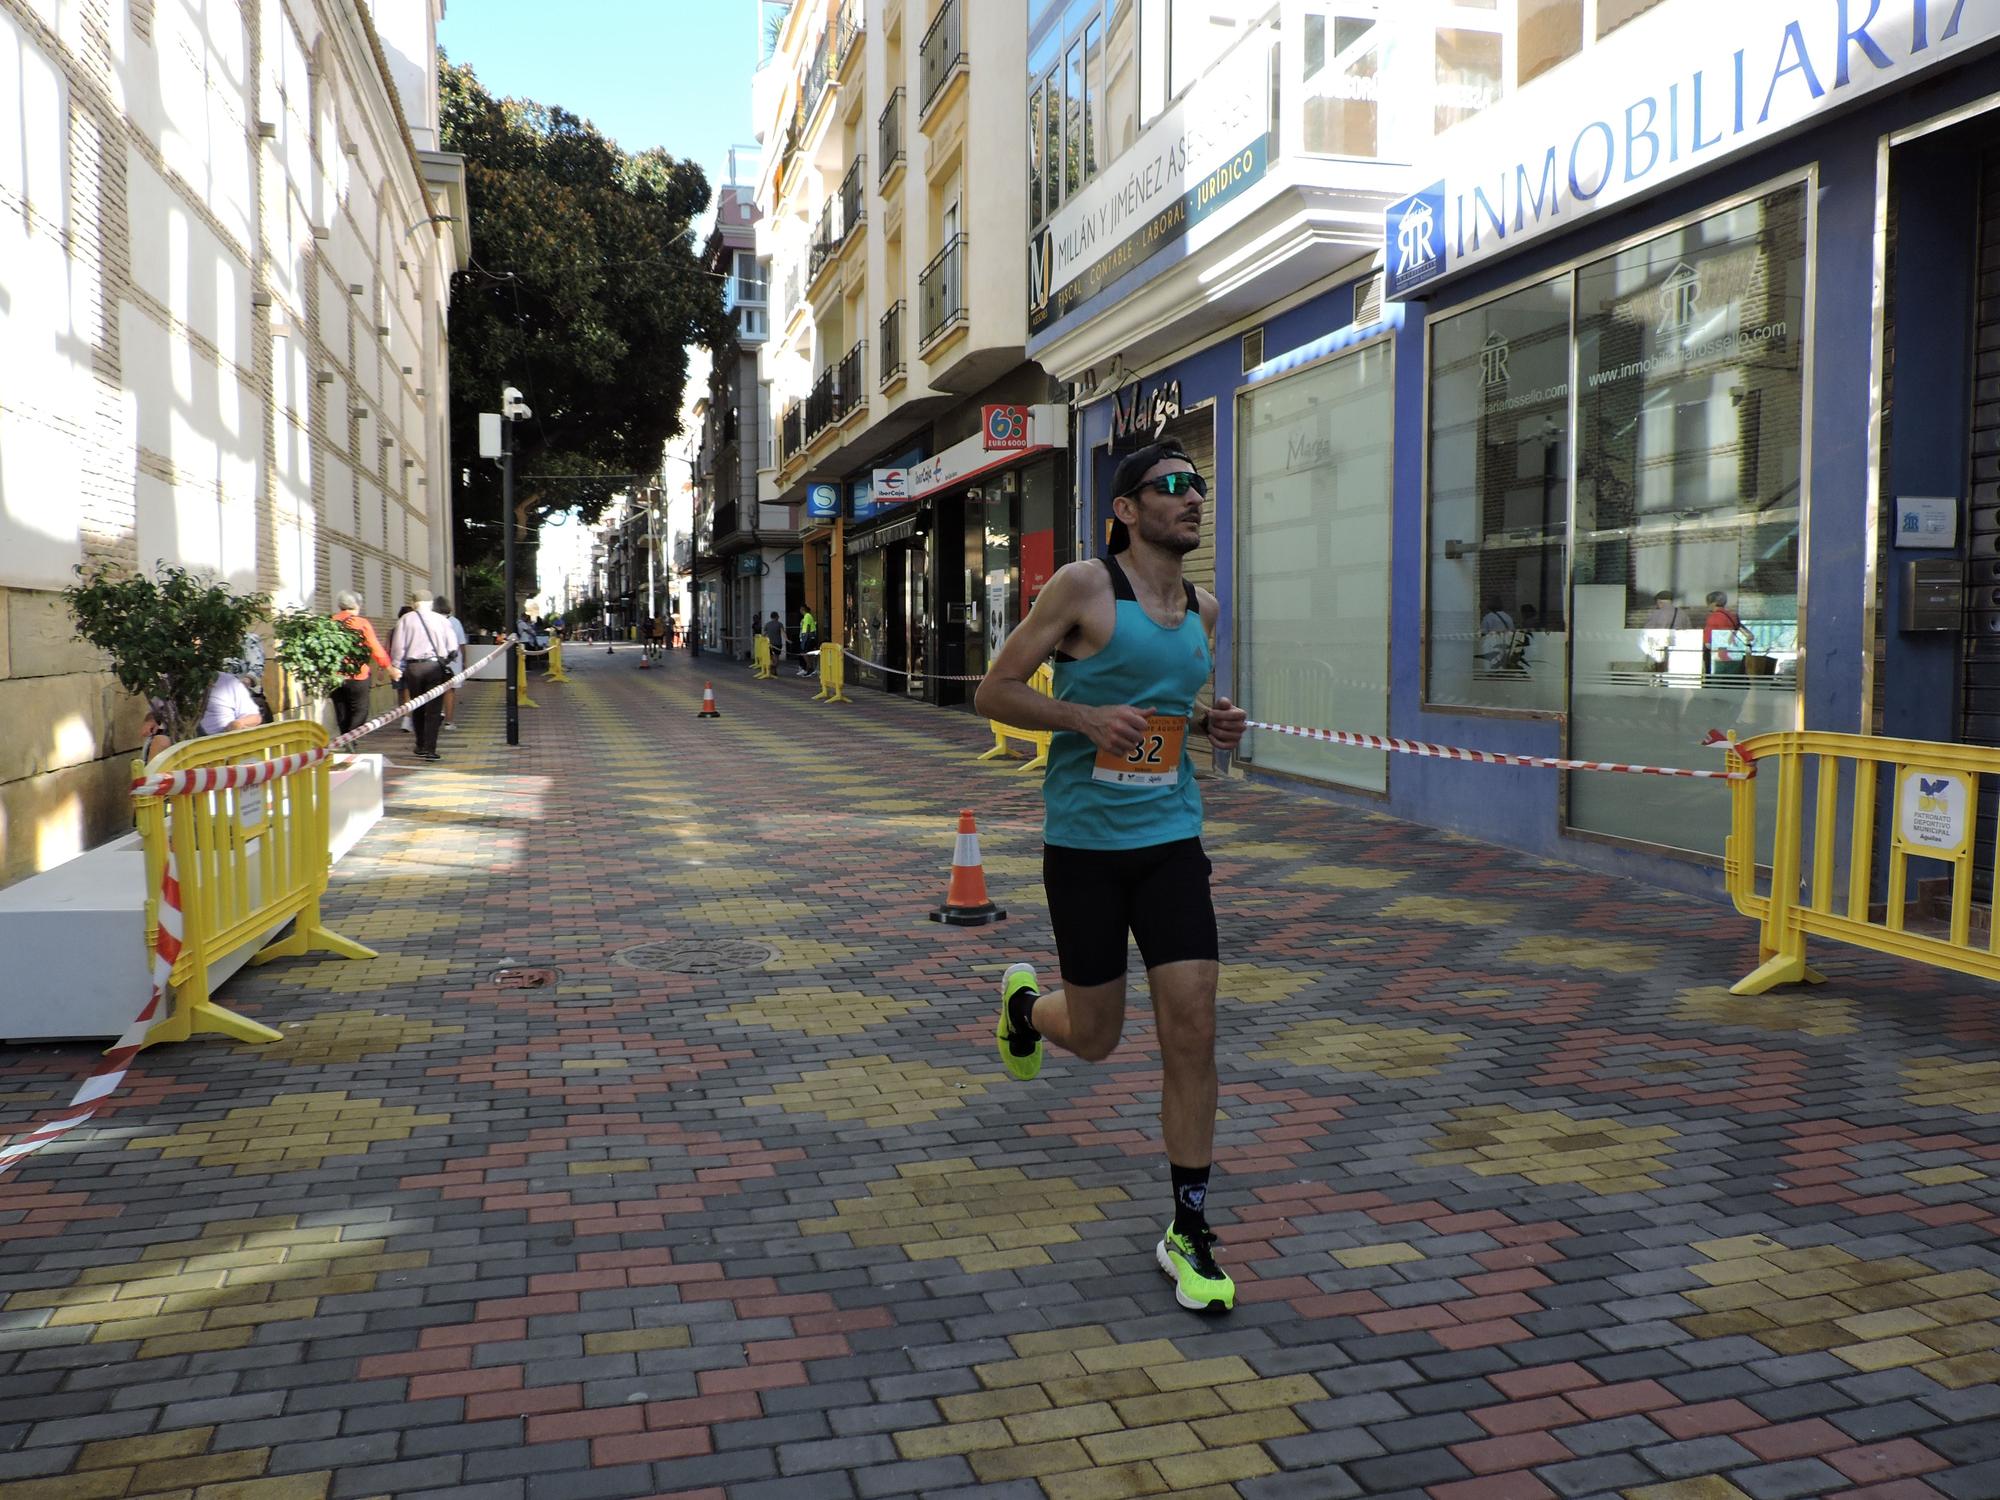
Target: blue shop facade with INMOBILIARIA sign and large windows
[1687, 421]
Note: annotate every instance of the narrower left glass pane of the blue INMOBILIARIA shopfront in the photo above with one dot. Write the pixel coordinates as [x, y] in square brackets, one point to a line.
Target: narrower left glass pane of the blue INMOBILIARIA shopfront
[1499, 503]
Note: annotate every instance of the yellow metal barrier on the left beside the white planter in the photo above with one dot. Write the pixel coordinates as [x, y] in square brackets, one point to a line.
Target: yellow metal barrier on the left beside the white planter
[245, 863]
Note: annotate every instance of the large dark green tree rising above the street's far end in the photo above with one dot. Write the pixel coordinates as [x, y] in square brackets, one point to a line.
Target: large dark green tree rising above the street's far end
[587, 291]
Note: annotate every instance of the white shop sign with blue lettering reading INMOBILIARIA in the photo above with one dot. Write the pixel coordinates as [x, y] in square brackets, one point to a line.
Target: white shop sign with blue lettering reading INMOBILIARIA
[1675, 93]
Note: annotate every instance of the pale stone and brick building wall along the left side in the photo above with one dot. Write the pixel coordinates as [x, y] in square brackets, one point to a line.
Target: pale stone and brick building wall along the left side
[227, 243]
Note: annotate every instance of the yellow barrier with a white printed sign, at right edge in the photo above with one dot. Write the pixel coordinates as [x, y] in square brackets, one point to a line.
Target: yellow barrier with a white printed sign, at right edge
[1823, 887]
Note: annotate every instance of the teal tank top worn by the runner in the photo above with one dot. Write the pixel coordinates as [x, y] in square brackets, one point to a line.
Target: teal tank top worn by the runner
[1149, 797]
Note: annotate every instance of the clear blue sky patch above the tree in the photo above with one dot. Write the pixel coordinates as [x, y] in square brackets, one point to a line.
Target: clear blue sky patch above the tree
[647, 73]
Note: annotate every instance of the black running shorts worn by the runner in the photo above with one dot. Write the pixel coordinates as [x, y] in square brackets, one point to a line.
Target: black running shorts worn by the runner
[1157, 893]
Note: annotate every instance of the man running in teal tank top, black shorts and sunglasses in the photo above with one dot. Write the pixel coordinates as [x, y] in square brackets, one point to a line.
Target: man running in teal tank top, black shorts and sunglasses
[1123, 831]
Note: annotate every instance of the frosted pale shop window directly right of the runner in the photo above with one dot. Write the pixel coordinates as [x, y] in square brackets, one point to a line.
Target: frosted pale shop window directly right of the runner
[1313, 523]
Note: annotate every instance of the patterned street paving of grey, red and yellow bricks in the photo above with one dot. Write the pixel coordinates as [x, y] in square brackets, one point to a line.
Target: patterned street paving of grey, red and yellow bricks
[665, 1151]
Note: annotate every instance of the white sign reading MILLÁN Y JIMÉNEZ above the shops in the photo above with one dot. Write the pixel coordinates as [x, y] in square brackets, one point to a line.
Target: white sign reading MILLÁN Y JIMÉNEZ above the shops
[1197, 157]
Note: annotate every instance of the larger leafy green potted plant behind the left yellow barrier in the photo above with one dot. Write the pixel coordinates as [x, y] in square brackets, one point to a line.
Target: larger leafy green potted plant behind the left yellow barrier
[167, 635]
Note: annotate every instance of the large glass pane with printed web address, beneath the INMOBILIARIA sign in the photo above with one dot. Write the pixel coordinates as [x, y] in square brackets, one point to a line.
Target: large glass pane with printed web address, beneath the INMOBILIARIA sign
[1691, 417]
